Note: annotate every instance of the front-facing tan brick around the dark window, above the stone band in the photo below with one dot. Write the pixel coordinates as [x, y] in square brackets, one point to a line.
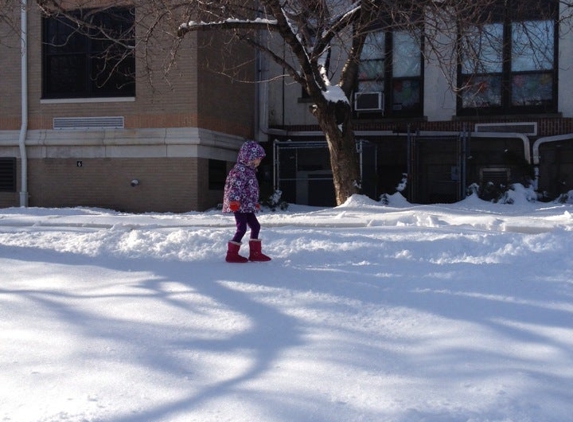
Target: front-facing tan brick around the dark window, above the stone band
[160, 101]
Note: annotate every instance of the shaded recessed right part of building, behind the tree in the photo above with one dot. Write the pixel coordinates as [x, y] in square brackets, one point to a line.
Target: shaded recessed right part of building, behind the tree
[505, 117]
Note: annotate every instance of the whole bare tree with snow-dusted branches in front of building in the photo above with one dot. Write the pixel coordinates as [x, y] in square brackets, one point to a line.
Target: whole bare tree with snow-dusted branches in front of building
[313, 30]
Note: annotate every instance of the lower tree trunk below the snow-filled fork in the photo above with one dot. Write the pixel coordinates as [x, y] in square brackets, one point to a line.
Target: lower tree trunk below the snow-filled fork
[335, 120]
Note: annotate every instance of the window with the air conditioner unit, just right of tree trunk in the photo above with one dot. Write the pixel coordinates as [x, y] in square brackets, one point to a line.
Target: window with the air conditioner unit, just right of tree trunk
[391, 66]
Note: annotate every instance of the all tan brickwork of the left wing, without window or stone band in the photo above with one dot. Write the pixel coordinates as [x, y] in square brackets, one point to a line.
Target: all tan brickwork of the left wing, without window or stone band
[188, 97]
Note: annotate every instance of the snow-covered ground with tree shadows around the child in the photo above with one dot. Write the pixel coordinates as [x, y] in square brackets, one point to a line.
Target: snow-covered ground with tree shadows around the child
[397, 313]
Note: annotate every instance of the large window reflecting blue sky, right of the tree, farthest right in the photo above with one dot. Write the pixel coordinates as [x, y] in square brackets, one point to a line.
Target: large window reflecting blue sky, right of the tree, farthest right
[508, 64]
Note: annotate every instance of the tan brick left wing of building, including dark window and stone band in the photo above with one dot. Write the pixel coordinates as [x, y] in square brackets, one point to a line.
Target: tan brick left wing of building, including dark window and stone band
[136, 141]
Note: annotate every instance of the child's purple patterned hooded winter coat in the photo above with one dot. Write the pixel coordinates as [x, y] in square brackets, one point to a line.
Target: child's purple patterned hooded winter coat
[241, 184]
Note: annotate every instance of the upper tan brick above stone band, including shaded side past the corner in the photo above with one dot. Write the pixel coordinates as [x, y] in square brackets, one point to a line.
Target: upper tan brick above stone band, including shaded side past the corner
[192, 94]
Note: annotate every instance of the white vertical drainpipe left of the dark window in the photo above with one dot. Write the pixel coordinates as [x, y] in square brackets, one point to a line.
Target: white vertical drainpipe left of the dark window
[24, 89]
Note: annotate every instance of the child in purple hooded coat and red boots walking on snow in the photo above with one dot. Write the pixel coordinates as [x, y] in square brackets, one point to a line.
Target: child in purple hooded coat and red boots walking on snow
[241, 197]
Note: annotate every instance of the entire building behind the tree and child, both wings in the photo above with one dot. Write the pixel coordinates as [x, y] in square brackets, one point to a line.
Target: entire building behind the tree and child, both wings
[140, 142]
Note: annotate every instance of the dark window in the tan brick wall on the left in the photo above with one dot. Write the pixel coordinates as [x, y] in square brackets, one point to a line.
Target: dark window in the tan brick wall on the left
[93, 61]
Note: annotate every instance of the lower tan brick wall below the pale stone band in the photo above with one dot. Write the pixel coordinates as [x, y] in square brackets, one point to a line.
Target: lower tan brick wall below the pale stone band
[166, 184]
